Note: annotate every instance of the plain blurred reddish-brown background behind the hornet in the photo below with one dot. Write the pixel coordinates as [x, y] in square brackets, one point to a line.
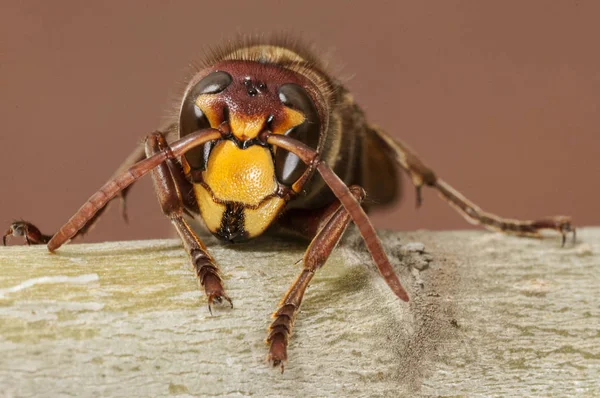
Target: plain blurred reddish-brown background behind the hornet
[501, 98]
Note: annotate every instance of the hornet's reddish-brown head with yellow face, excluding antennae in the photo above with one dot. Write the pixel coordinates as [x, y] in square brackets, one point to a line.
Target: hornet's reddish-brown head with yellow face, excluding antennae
[242, 183]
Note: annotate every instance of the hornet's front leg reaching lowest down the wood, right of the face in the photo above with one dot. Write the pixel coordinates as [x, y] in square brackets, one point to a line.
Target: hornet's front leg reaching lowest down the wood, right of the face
[327, 227]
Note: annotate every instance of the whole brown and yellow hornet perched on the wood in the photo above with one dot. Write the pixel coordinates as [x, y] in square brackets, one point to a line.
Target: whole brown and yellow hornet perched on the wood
[267, 139]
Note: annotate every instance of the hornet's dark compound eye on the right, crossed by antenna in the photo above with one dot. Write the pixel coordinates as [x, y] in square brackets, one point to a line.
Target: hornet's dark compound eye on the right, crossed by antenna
[288, 167]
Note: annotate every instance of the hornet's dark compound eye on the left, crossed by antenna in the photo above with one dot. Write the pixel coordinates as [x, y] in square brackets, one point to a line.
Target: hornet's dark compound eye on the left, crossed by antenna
[191, 117]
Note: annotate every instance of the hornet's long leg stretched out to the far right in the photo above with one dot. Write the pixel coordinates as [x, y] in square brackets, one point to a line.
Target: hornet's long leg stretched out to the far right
[423, 175]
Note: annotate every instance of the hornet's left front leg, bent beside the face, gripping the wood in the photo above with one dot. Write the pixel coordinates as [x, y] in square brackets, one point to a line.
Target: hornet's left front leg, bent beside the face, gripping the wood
[167, 176]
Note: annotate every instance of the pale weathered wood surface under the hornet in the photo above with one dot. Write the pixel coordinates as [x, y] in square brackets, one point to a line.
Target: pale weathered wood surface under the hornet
[490, 316]
